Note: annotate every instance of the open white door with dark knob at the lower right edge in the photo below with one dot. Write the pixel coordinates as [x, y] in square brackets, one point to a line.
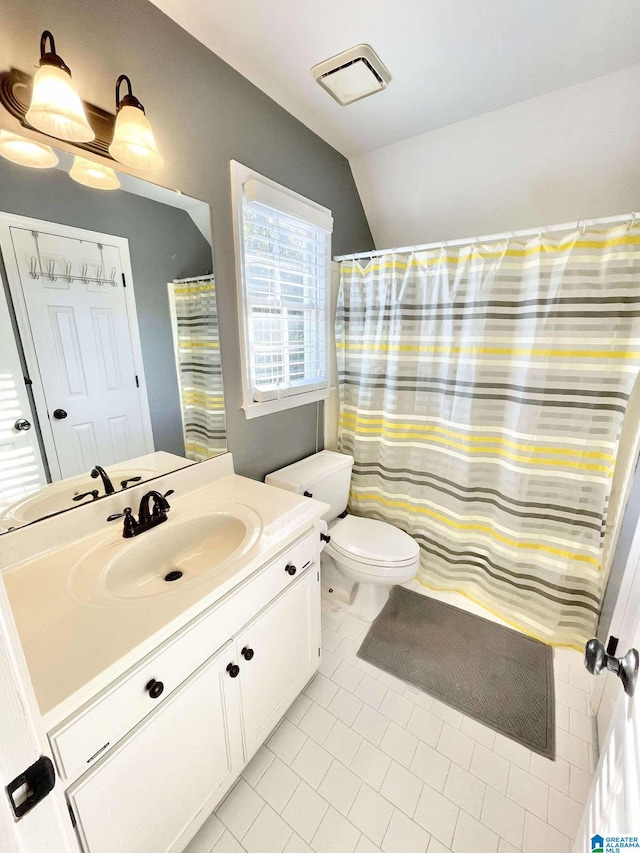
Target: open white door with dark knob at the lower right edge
[613, 805]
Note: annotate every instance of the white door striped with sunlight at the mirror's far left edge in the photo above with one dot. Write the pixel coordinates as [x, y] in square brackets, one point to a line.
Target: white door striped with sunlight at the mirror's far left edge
[21, 470]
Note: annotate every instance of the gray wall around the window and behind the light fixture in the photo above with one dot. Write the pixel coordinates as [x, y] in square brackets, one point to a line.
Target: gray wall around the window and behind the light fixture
[204, 114]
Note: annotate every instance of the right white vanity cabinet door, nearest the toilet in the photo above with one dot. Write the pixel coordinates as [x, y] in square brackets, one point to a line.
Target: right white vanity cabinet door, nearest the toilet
[278, 653]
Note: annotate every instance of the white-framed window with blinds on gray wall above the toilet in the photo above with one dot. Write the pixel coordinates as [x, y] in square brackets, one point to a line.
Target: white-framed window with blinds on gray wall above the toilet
[283, 245]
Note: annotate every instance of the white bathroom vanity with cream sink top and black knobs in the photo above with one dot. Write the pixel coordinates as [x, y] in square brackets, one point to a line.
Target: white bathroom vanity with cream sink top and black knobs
[156, 694]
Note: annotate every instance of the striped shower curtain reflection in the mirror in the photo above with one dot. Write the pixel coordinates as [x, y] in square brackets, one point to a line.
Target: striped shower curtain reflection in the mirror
[197, 345]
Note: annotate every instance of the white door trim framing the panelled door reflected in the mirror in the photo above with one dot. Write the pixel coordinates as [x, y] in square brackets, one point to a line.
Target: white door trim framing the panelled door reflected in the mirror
[8, 220]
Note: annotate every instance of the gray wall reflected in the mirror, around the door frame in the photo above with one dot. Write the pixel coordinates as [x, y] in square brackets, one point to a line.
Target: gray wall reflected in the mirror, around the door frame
[164, 244]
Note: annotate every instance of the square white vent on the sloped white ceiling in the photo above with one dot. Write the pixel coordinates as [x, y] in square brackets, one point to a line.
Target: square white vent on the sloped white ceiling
[354, 74]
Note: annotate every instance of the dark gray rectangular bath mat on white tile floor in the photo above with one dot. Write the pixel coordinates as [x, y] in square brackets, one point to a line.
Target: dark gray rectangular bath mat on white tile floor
[498, 676]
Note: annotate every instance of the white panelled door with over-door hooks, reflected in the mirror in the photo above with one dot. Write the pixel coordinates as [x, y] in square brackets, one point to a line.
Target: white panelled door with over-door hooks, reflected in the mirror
[78, 340]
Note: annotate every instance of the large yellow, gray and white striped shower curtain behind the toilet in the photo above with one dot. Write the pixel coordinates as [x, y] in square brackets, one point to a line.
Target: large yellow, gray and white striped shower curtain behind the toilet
[482, 393]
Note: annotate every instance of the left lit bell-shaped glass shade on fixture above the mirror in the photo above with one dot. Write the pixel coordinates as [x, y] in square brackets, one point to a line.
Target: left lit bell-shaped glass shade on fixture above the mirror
[56, 108]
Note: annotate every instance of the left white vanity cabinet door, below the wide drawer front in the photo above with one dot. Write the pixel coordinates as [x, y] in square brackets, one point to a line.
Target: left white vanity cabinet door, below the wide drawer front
[146, 794]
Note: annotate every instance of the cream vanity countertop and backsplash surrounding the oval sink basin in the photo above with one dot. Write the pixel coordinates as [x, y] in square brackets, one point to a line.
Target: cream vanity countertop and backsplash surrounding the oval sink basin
[74, 649]
